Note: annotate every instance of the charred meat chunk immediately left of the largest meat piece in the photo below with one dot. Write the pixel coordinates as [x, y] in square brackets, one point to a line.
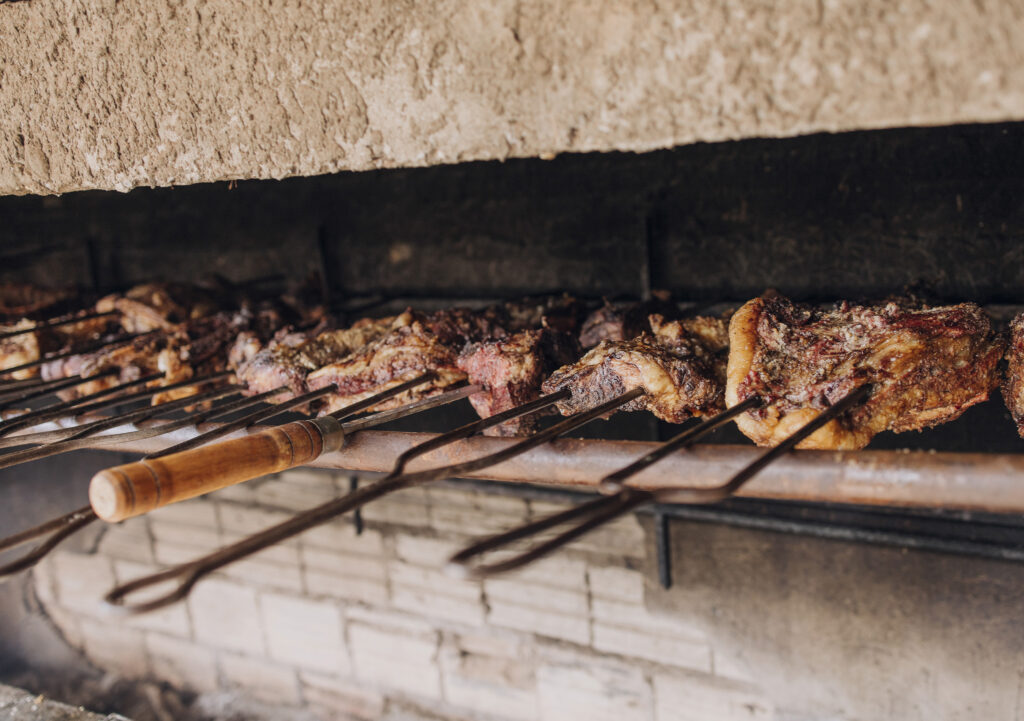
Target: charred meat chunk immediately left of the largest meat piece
[676, 370]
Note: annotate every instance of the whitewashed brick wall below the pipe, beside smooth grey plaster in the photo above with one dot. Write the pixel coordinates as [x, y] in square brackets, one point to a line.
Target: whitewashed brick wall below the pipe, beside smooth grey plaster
[367, 626]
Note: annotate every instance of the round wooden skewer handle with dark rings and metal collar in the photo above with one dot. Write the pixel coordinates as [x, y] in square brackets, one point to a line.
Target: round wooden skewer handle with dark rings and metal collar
[124, 492]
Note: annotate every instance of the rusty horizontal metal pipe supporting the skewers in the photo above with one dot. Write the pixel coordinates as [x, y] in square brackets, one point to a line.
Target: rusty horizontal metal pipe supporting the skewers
[993, 483]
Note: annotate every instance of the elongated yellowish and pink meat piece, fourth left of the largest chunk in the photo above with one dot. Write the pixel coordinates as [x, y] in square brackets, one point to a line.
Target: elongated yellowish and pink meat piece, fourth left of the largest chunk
[291, 358]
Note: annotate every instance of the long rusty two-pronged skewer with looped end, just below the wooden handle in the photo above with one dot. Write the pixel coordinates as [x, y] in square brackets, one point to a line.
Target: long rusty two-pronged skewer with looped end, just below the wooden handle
[188, 575]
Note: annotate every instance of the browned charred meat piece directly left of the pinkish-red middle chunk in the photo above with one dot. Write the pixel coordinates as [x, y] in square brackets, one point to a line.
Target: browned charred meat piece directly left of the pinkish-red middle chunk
[410, 349]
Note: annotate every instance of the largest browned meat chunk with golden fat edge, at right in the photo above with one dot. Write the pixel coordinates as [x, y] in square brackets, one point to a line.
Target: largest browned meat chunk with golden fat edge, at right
[926, 366]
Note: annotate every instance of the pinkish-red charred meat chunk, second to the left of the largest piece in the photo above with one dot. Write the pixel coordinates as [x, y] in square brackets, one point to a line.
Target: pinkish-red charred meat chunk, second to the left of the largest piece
[511, 371]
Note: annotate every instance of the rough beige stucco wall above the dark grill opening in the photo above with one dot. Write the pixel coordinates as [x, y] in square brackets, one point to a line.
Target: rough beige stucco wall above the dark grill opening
[109, 95]
